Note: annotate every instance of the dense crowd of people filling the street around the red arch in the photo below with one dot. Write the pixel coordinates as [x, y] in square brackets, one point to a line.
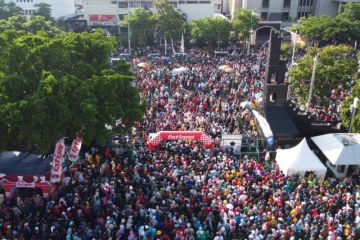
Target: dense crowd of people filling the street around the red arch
[181, 190]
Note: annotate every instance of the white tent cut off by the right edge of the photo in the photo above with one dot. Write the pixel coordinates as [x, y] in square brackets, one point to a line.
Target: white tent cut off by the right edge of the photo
[340, 148]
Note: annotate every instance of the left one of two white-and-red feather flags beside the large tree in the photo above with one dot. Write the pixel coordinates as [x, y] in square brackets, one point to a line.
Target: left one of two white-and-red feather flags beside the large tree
[58, 158]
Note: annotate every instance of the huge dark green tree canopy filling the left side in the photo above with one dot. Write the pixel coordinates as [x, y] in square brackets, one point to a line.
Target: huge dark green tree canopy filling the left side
[51, 85]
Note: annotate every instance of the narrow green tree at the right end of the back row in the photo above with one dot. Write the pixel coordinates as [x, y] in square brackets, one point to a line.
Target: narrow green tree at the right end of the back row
[244, 21]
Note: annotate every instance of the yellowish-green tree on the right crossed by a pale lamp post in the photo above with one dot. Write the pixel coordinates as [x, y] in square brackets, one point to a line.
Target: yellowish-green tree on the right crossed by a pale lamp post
[334, 67]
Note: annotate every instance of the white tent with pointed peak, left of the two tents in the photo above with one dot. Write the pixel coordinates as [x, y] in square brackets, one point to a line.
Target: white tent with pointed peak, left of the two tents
[299, 160]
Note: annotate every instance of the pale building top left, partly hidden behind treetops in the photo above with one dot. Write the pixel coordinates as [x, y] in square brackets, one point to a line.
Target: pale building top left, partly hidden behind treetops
[59, 8]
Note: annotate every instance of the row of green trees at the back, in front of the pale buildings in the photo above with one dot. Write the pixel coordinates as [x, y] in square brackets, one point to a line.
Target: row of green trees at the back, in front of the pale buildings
[170, 23]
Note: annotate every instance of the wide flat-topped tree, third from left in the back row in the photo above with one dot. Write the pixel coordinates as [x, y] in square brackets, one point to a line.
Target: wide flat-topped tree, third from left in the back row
[210, 30]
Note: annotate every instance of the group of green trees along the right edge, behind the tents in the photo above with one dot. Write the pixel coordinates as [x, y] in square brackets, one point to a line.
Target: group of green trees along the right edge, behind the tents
[332, 39]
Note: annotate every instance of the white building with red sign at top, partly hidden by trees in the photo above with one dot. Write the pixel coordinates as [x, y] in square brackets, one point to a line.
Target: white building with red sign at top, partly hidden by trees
[110, 12]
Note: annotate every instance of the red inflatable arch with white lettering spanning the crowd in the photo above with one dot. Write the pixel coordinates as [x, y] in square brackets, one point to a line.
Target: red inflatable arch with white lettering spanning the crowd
[180, 135]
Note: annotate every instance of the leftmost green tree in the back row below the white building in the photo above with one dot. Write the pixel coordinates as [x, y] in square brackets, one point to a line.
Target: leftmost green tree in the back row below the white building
[142, 26]
